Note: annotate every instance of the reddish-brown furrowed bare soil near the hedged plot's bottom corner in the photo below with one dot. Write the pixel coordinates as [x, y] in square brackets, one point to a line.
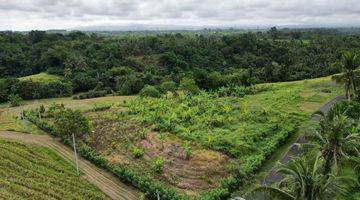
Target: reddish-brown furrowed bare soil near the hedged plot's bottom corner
[202, 171]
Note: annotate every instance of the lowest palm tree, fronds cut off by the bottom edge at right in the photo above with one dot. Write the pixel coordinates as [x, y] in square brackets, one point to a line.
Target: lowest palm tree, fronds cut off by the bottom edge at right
[305, 182]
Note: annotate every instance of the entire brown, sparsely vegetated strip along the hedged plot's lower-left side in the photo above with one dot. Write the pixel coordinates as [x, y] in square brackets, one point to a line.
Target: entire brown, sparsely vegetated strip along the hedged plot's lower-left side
[201, 172]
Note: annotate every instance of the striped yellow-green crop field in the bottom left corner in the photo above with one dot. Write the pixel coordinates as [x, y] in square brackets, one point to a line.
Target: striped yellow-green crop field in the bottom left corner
[33, 172]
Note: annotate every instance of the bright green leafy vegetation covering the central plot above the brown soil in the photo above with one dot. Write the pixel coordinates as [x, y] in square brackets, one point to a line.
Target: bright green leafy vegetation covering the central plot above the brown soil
[248, 129]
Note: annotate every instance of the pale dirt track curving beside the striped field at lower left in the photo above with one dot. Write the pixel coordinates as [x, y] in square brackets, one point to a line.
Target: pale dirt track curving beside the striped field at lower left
[105, 181]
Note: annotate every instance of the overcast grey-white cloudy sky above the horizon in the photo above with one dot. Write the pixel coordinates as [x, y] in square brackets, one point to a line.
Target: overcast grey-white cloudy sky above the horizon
[59, 14]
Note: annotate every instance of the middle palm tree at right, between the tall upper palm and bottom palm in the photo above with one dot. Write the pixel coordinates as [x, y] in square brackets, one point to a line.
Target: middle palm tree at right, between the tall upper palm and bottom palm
[336, 137]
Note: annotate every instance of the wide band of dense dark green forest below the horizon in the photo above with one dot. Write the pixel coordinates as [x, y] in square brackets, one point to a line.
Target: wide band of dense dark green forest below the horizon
[124, 64]
